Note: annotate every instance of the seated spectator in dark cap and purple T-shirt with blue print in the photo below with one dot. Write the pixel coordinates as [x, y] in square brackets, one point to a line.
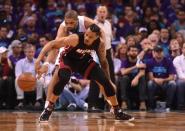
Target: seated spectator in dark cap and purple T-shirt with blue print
[161, 78]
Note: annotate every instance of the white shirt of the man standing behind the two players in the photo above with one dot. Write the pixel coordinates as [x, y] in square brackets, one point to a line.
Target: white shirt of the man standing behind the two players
[106, 26]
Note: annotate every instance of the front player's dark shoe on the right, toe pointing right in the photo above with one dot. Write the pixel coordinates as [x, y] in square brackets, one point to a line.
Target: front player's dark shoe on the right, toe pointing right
[120, 115]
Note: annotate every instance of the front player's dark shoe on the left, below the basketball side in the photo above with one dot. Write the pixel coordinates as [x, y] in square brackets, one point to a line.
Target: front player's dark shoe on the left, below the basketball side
[45, 115]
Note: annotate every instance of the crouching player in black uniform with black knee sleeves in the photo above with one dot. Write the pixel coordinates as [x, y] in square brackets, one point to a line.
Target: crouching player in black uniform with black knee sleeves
[76, 58]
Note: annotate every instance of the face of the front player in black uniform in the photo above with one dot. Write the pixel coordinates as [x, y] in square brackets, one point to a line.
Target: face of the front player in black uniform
[89, 37]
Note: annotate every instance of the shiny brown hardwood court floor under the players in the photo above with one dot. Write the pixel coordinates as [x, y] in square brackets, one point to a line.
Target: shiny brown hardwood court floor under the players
[82, 121]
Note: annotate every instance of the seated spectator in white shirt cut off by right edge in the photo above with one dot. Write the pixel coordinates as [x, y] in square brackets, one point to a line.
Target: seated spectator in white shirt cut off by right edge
[179, 63]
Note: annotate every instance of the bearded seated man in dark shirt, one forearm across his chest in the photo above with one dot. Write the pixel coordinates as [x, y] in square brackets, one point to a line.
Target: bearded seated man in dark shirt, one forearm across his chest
[132, 78]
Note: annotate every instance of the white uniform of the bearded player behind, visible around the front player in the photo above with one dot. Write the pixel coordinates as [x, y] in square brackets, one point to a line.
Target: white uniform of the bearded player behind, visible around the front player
[81, 28]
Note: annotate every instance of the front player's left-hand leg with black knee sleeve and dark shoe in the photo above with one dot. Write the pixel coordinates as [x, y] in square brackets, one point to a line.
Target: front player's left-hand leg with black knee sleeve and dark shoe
[63, 75]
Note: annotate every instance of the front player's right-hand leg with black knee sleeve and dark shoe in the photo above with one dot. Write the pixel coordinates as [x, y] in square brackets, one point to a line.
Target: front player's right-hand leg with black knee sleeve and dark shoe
[107, 88]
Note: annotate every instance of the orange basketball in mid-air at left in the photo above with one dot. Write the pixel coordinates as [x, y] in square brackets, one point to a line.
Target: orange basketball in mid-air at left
[26, 82]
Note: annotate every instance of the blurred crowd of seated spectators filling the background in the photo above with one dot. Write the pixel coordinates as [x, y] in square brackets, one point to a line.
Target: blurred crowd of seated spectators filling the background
[148, 31]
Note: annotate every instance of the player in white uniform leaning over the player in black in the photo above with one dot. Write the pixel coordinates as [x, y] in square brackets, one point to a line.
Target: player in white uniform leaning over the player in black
[72, 24]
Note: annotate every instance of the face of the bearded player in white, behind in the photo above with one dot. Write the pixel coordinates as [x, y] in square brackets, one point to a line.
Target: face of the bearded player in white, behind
[70, 23]
